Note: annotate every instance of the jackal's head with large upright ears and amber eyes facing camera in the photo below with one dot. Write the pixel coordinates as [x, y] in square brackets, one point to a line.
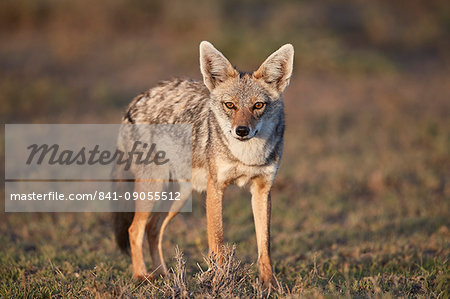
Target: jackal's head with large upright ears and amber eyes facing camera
[246, 104]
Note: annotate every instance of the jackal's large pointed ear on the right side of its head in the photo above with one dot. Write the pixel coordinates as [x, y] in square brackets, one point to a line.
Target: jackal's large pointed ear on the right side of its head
[277, 69]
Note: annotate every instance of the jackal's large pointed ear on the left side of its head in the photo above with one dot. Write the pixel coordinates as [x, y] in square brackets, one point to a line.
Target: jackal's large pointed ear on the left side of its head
[214, 66]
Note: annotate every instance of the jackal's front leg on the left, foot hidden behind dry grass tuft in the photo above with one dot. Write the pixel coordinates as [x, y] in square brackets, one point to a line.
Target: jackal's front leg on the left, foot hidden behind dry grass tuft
[214, 196]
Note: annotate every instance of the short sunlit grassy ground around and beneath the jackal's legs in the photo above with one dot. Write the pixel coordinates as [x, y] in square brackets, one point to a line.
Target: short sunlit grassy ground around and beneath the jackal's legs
[360, 208]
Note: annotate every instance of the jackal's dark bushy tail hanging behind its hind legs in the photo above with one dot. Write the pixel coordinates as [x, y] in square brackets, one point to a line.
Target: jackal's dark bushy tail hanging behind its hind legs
[122, 220]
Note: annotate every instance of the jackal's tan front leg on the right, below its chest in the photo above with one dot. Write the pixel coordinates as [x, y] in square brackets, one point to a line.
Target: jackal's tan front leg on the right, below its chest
[261, 213]
